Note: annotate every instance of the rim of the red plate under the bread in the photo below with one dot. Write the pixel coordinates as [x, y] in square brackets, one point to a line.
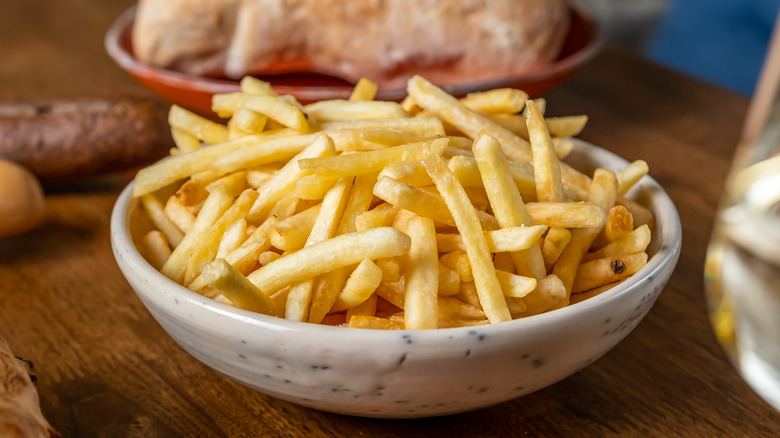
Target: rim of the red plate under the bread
[596, 39]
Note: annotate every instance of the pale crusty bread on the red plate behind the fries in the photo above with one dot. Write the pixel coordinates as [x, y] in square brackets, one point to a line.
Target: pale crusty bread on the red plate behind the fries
[382, 40]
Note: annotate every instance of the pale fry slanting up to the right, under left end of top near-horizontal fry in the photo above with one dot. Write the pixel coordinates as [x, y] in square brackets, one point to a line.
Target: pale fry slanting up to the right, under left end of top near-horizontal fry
[283, 182]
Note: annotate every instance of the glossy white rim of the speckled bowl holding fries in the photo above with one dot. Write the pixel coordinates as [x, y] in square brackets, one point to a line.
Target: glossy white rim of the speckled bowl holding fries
[668, 253]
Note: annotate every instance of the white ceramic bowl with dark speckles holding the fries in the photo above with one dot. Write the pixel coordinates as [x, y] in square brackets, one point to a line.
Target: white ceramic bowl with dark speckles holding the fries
[403, 374]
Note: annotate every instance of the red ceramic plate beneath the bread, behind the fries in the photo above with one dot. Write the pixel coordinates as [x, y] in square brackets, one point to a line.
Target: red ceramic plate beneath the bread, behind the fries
[583, 42]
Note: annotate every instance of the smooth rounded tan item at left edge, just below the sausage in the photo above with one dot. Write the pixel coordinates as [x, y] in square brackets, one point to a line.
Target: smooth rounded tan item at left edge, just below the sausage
[21, 199]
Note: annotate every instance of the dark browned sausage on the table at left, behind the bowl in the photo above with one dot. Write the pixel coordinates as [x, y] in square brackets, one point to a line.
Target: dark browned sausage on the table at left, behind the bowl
[73, 139]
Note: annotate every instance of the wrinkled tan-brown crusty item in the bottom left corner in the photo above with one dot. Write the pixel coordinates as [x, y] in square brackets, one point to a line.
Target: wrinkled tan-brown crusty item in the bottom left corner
[20, 414]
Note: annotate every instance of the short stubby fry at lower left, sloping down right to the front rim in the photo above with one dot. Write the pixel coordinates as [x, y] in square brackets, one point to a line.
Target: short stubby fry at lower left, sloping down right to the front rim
[235, 286]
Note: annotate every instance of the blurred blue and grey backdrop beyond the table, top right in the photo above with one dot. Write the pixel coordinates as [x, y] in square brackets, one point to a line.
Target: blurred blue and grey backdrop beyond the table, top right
[720, 41]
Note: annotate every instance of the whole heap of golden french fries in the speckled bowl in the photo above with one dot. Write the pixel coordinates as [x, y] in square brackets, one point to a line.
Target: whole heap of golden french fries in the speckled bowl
[429, 213]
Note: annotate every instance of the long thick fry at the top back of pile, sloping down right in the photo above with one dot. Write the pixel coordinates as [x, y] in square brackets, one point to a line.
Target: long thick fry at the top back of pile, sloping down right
[470, 122]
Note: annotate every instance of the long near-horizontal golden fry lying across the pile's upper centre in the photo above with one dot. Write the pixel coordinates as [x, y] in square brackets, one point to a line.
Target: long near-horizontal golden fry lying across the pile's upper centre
[371, 161]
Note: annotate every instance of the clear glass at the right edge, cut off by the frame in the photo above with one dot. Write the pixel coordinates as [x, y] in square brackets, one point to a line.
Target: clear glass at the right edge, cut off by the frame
[742, 272]
